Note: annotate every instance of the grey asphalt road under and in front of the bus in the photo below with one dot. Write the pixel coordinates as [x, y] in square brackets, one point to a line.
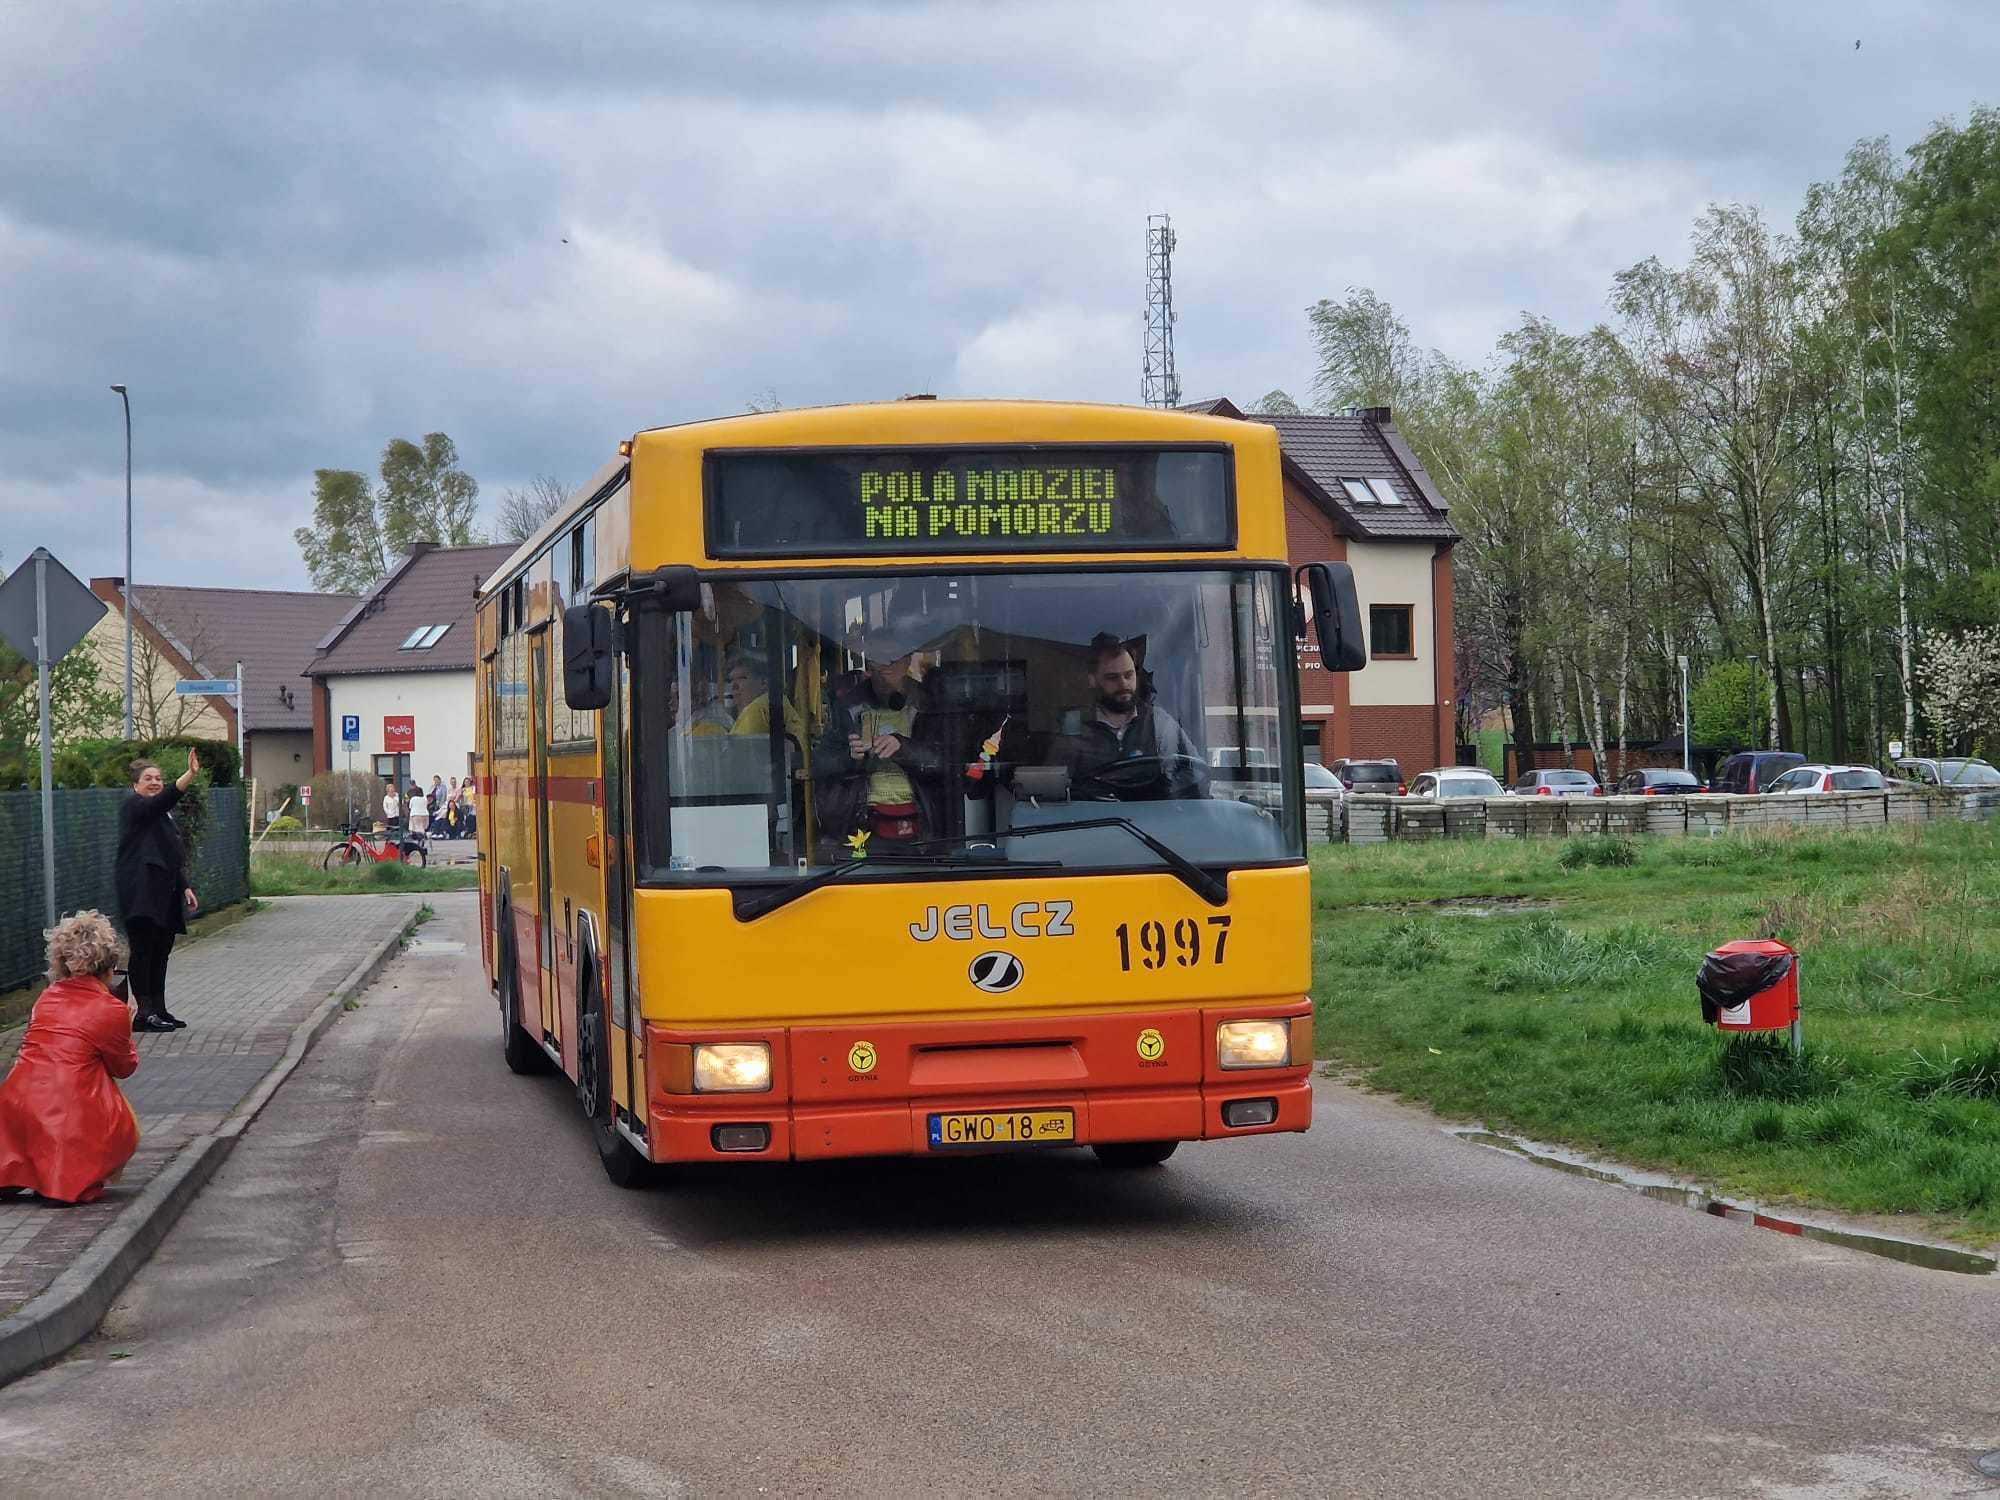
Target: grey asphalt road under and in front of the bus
[413, 1279]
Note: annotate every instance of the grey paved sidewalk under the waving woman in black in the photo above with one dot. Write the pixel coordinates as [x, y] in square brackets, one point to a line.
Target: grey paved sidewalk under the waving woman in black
[243, 993]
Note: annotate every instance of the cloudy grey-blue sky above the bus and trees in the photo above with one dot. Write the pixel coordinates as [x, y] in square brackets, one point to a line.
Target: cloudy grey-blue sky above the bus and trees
[299, 231]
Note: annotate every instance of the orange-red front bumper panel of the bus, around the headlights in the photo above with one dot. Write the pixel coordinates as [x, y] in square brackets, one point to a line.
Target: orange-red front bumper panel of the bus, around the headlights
[869, 1091]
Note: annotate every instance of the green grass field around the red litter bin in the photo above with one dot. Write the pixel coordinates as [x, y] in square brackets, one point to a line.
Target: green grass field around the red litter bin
[1549, 989]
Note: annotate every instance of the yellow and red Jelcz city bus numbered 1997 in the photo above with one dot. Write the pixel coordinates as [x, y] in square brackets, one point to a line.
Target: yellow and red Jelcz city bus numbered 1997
[899, 779]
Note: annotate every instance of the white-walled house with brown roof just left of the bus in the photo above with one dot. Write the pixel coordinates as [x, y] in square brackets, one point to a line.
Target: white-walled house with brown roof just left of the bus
[401, 665]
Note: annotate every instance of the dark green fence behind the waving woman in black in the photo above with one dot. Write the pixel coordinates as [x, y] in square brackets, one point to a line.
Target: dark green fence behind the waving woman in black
[87, 847]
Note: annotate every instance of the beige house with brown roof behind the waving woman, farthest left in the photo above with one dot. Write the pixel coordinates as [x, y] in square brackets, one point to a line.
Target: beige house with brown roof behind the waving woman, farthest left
[207, 633]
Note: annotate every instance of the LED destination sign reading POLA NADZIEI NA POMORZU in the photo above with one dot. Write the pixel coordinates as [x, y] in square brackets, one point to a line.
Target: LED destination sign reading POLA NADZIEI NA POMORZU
[857, 503]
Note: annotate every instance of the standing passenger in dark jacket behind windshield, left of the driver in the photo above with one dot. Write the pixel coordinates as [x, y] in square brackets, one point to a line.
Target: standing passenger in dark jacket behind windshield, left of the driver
[879, 777]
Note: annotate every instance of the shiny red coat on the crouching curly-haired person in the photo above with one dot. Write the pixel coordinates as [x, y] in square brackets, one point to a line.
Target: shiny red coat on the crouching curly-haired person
[65, 1125]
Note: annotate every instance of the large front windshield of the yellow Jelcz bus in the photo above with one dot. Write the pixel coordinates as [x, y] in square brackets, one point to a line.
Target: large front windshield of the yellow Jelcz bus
[905, 721]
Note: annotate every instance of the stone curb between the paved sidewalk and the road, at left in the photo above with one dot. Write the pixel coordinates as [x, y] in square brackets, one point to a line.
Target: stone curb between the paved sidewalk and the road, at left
[61, 1317]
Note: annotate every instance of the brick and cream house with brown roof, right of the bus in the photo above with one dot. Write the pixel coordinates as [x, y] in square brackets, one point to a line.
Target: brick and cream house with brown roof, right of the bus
[1357, 493]
